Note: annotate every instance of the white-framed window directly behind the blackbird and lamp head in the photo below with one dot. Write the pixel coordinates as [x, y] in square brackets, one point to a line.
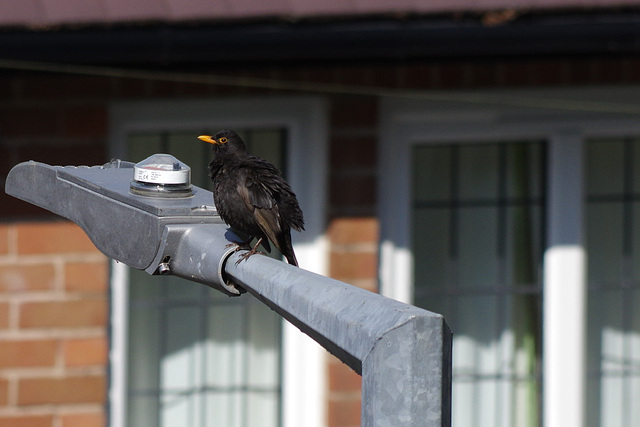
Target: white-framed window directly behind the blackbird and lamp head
[182, 353]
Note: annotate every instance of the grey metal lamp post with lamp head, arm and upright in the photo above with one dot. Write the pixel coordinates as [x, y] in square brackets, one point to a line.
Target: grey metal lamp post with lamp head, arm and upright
[402, 352]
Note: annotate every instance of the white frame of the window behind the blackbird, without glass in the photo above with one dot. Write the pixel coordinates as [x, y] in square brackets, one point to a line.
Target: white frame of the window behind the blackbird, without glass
[305, 120]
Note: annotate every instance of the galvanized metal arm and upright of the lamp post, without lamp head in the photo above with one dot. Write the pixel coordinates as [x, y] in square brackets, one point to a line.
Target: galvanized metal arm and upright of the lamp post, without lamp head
[402, 352]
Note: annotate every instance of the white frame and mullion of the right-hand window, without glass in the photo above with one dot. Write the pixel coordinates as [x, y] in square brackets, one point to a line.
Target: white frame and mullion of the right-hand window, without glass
[564, 118]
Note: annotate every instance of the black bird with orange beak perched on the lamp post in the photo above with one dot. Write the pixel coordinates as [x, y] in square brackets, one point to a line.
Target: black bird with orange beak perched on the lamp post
[252, 197]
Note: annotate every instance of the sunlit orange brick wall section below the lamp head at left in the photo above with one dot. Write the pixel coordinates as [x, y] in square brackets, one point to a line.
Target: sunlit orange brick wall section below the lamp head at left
[53, 316]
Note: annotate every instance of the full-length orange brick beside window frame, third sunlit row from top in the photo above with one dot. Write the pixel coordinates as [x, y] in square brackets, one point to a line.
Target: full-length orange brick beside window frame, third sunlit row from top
[64, 314]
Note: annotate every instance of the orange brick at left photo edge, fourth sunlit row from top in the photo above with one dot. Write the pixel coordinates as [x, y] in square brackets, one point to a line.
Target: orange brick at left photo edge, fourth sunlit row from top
[27, 353]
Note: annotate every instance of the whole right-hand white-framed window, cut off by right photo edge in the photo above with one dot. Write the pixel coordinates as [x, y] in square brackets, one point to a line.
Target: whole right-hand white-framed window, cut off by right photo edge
[499, 204]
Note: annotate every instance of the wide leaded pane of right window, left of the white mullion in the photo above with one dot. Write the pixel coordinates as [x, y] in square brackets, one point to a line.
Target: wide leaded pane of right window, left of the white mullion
[477, 243]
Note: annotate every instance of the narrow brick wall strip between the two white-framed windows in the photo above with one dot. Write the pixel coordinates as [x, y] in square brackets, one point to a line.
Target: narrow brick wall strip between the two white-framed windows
[352, 230]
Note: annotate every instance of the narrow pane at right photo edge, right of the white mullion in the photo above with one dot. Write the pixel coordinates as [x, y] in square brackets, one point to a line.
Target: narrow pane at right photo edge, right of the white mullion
[613, 248]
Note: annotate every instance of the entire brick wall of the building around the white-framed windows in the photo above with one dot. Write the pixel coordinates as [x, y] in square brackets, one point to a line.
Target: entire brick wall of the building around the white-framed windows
[53, 282]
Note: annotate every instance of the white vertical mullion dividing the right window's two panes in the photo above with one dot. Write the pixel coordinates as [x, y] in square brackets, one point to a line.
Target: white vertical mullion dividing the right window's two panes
[564, 287]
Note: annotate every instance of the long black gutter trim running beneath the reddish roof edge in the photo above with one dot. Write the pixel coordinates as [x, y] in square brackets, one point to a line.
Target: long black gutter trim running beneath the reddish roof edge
[344, 41]
